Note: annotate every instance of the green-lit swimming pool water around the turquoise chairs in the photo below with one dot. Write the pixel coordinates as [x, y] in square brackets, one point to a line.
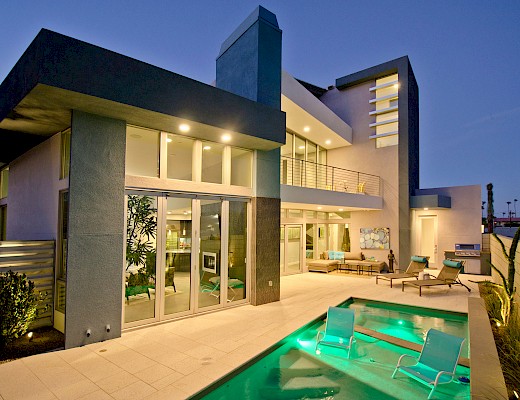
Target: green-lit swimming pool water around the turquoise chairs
[292, 370]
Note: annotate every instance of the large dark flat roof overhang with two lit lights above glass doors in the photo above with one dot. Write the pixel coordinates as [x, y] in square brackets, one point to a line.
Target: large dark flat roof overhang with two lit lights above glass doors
[57, 74]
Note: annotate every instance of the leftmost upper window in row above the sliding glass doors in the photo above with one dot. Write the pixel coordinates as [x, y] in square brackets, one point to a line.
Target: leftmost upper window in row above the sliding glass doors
[142, 152]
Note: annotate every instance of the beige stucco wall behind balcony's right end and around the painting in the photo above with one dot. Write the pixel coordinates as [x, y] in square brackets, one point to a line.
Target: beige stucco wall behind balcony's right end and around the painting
[352, 105]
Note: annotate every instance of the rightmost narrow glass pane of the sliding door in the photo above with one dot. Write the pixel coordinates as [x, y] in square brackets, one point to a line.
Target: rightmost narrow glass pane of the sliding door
[237, 251]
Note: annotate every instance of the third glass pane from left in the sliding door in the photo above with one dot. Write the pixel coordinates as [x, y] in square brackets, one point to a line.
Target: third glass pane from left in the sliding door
[210, 253]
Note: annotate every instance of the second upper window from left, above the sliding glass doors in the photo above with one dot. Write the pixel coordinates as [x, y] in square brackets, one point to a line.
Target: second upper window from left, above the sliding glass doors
[180, 156]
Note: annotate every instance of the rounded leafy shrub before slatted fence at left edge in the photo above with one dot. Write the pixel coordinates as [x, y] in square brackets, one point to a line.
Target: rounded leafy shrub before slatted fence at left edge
[18, 306]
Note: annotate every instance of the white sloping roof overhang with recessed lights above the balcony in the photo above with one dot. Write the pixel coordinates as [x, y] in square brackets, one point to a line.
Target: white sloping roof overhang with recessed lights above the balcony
[303, 109]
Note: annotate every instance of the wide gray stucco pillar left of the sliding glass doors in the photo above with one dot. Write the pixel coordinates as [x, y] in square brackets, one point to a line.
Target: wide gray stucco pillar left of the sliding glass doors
[96, 224]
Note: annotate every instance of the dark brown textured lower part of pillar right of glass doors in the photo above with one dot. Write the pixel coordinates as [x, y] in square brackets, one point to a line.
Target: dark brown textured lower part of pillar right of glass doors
[265, 251]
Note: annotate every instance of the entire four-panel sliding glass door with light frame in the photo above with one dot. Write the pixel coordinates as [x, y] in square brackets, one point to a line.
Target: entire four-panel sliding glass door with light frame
[183, 255]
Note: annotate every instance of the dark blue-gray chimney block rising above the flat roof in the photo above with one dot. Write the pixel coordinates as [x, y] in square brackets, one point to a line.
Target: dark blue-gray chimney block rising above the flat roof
[250, 62]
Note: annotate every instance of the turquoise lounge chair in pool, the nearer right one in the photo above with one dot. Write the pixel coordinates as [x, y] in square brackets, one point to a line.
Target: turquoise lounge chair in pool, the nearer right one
[438, 360]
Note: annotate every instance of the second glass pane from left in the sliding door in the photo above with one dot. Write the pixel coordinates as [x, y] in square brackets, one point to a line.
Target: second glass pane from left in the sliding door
[177, 270]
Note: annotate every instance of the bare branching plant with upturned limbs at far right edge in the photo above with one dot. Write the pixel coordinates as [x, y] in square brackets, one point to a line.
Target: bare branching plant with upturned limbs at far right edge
[506, 290]
